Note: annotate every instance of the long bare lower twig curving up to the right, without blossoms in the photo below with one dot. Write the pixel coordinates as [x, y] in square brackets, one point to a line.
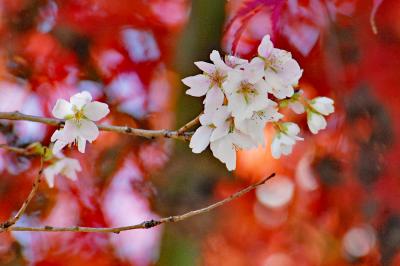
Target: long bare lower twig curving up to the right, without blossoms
[145, 224]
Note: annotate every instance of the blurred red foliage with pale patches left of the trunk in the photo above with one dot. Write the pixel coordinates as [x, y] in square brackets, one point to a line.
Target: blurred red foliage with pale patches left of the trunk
[121, 52]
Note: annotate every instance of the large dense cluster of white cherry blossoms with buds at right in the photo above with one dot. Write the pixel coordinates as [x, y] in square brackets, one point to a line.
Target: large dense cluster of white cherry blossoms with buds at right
[242, 96]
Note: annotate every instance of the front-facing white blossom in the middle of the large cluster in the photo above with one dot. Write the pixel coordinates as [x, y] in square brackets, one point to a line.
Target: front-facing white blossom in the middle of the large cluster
[245, 92]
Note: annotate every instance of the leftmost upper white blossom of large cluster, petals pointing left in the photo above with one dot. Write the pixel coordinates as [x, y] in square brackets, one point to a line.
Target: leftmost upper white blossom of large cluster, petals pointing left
[210, 83]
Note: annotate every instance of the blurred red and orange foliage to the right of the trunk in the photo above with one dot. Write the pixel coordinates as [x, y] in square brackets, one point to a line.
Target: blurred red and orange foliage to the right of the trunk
[346, 177]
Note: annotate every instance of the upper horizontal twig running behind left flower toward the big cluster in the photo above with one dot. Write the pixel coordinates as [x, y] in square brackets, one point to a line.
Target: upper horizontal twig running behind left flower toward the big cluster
[146, 133]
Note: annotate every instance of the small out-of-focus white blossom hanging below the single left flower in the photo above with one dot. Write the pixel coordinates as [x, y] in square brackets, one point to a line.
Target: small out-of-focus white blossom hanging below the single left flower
[63, 166]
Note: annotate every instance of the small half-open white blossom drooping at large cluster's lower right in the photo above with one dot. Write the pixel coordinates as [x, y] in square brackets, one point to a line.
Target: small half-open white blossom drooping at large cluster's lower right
[285, 139]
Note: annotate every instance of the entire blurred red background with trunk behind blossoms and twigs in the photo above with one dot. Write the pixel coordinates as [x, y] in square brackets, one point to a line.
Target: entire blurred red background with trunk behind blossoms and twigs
[334, 201]
